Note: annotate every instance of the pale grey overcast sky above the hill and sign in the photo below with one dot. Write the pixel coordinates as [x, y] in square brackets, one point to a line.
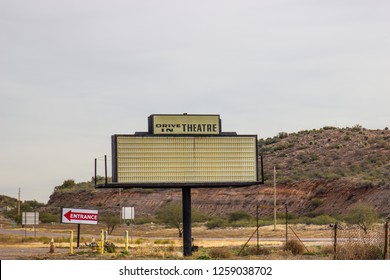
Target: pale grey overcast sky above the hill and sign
[72, 73]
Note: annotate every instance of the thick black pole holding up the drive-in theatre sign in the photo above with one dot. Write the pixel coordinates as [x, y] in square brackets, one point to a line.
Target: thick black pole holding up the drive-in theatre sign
[187, 234]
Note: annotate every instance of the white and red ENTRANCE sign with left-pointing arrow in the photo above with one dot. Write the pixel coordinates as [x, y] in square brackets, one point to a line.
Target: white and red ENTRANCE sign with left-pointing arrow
[79, 216]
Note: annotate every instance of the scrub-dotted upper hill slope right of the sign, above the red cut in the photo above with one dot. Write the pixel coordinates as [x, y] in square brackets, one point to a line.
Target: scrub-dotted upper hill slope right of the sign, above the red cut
[329, 153]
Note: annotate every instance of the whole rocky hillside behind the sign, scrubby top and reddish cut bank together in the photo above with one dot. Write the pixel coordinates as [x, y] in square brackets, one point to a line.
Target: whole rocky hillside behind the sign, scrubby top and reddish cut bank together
[323, 171]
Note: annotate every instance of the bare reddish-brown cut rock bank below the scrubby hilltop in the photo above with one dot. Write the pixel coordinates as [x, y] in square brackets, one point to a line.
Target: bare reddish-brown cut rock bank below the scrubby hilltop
[312, 197]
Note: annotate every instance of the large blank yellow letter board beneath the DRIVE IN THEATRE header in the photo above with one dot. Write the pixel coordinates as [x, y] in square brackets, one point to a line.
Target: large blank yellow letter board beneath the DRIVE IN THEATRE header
[159, 159]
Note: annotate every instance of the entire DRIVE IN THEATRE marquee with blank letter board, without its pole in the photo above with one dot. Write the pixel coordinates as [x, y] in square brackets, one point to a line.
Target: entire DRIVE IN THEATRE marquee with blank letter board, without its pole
[184, 150]
